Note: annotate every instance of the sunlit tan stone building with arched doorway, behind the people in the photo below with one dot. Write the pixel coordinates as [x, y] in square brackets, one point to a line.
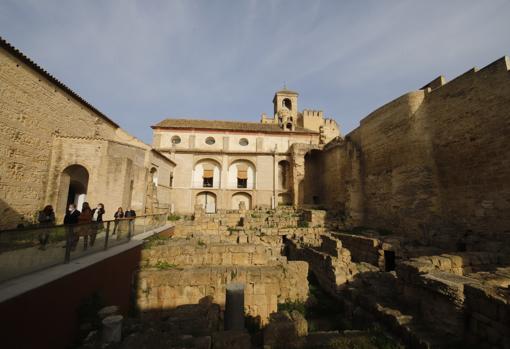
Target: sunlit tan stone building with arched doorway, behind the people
[45, 128]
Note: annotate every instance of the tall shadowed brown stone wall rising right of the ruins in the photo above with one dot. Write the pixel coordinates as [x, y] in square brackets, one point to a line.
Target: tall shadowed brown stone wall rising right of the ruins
[431, 161]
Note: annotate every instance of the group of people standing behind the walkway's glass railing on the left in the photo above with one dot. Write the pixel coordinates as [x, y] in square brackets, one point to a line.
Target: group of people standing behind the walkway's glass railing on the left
[88, 222]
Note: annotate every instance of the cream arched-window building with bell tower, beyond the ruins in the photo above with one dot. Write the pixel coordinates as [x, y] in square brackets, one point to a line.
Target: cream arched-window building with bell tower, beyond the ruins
[221, 164]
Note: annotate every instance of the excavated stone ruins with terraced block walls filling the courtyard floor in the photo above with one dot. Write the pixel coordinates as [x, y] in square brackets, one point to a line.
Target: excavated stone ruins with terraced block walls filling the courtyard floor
[309, 285]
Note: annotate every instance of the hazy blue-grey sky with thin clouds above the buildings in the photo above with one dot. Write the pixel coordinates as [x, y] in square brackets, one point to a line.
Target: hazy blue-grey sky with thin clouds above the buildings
[142, 61]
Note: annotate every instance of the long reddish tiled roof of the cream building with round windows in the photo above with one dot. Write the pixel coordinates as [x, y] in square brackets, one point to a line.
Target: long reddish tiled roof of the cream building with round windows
[224, 125]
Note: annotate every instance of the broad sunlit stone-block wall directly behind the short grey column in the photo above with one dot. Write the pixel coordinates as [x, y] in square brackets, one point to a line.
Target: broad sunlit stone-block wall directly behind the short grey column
[265, 287]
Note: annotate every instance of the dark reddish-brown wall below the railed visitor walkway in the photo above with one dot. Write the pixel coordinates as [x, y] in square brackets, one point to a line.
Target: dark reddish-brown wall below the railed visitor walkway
[54, 312]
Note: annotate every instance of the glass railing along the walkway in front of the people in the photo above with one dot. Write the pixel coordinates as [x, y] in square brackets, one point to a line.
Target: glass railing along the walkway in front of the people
[23, 251]
